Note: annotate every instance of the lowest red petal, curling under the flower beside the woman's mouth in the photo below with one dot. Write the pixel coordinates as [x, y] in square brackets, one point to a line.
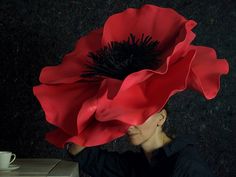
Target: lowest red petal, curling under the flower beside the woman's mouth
[91, 132]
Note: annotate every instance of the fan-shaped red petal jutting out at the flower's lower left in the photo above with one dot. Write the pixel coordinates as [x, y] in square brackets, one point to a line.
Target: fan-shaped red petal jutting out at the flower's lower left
[61, 103]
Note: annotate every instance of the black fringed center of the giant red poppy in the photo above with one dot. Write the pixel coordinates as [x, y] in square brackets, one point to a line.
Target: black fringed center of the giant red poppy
[119, 59]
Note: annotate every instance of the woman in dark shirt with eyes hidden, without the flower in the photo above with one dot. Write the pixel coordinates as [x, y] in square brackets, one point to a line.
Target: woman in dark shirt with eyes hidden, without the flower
[160, 154]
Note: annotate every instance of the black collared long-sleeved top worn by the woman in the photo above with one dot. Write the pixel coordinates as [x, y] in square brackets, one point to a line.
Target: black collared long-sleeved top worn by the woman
[179, 158]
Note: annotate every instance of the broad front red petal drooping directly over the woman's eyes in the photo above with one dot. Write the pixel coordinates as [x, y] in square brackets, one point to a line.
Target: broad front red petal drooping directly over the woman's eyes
[134, 105]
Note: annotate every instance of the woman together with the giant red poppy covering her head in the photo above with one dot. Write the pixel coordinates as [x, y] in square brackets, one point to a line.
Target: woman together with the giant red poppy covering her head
[119, 75]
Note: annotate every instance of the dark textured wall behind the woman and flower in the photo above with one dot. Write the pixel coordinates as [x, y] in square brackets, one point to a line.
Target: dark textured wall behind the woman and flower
[36, 33]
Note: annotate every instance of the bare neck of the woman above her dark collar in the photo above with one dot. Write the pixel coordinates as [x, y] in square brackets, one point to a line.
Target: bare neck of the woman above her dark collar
[157, 140]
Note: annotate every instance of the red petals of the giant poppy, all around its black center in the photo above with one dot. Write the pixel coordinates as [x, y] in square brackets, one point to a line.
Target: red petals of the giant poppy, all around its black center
[93, 111]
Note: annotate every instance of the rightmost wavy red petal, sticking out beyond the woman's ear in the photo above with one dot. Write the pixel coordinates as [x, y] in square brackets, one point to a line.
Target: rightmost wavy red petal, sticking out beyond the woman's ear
[206, 71]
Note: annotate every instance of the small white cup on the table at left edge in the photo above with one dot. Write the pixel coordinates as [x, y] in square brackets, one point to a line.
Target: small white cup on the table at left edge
[6, 158]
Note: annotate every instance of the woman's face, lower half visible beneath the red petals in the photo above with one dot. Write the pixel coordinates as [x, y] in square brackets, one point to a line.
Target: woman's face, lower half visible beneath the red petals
[141, 133]
